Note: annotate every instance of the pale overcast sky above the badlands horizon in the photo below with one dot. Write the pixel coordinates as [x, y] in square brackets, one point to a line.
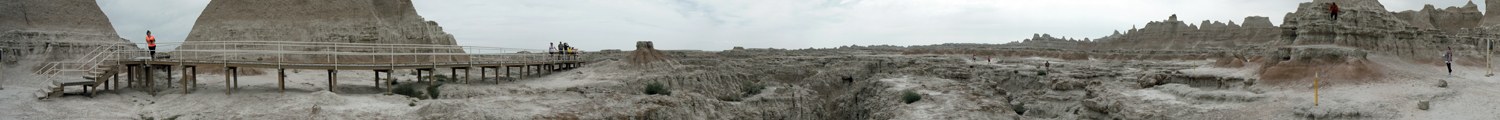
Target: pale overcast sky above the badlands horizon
[722, 25]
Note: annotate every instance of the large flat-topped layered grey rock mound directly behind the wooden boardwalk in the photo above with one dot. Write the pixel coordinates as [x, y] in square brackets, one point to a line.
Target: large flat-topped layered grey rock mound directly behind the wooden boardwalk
[341, 22]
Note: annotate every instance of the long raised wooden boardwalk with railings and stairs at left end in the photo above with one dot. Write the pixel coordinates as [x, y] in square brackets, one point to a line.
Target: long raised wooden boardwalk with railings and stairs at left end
[139, 71]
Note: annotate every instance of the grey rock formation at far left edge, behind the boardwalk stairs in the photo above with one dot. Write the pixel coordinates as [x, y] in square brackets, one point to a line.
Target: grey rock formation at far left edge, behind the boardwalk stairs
[56, 29]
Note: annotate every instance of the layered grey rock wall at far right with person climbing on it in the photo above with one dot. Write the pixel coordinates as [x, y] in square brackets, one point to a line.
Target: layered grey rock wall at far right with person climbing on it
[1367, 26]
